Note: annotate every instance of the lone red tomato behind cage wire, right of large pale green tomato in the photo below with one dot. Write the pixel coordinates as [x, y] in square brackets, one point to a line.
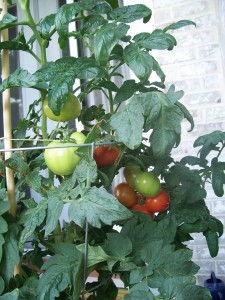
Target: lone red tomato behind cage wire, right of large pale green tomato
[106, 155]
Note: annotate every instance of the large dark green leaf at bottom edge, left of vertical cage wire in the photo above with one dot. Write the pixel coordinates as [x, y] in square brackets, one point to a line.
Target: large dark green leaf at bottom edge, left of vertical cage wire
[61, 270]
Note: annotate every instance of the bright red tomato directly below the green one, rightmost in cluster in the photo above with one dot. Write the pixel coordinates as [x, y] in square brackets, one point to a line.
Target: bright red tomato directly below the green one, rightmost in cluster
[158, 203]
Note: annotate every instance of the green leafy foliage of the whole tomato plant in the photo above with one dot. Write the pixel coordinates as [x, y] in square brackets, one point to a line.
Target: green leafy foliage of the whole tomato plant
[146, 253]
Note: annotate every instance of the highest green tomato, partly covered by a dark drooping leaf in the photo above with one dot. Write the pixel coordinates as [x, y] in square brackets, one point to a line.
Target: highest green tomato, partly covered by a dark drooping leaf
[70, 110]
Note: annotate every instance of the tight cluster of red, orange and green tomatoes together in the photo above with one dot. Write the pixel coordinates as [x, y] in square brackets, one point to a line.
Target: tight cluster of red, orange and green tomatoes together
[142, 191]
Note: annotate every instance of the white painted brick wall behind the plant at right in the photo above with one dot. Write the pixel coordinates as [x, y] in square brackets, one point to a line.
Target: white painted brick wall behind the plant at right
[196, 66]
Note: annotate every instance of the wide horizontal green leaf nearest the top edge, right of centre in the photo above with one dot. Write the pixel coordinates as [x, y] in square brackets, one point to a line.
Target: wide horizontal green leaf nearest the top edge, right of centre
[130, 13]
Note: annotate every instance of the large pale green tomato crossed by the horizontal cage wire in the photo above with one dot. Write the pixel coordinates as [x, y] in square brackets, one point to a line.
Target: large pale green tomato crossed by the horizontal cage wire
[61, 161]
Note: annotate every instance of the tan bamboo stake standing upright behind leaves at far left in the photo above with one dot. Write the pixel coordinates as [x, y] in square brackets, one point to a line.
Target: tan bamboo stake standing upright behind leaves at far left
[7, 122]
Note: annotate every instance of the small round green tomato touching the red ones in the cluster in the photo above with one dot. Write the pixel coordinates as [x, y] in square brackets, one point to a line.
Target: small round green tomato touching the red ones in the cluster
[147, 184]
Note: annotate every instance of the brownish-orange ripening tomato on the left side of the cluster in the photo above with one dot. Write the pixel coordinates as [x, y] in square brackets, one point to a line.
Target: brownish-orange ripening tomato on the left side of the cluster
[125, 194]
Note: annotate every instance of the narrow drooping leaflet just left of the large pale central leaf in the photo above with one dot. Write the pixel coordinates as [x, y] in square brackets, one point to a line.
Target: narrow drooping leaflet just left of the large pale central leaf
[55, 207]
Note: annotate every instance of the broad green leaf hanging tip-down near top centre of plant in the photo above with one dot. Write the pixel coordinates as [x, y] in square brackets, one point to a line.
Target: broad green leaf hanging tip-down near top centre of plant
[105, 40]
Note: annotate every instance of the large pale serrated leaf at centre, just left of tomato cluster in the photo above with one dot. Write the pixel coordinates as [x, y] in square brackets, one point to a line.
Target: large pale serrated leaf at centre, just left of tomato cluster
[97, 206]
